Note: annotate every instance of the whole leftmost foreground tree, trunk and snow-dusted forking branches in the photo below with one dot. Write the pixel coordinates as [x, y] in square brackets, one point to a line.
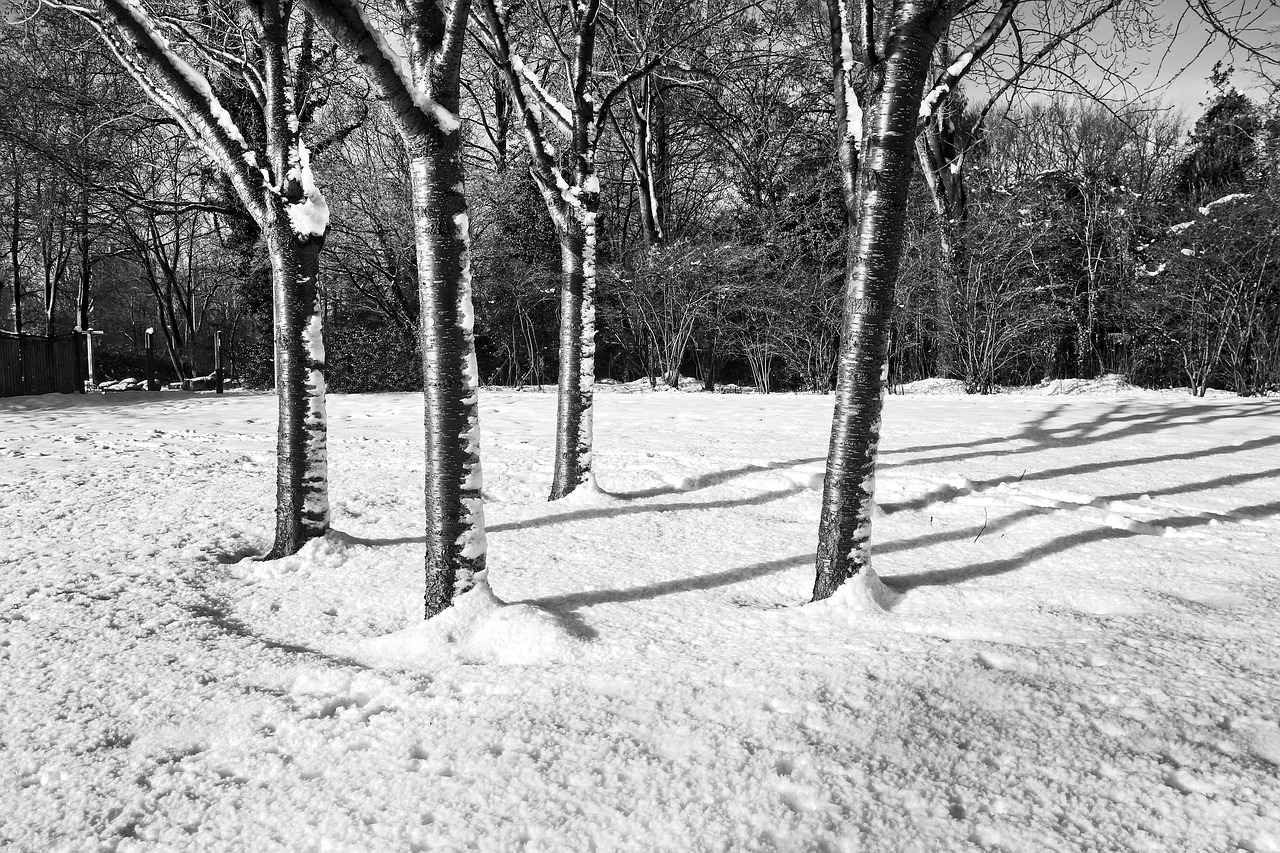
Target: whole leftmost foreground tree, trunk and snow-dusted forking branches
[276, 185]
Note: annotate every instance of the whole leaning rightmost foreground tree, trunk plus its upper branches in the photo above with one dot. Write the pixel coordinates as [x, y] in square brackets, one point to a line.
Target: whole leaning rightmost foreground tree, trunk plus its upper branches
[898, 76]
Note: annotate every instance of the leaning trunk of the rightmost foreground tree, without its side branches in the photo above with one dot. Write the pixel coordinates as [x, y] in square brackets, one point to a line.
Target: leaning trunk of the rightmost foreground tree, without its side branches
[874, 256]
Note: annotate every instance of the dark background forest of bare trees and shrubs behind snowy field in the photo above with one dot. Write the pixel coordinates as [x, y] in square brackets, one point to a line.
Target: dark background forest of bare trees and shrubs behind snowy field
[1068, 235]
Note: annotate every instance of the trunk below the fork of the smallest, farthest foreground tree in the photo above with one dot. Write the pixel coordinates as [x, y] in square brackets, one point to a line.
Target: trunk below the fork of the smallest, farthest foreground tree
[577, 355]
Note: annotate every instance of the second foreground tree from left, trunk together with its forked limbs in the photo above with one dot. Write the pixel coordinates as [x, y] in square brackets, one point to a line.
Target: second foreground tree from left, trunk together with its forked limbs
[426, 111]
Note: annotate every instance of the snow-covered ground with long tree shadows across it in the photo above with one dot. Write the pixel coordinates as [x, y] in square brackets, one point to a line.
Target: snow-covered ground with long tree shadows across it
[1086, 658]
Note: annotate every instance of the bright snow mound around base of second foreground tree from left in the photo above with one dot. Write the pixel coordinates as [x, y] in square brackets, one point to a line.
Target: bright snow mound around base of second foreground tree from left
[479, 628]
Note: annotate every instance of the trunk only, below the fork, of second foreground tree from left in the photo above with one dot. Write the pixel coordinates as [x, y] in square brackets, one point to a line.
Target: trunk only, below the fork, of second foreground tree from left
[451, 382]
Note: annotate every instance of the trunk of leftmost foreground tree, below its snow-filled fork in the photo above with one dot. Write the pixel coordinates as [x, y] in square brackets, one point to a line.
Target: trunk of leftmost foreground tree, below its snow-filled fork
[303, 477]
